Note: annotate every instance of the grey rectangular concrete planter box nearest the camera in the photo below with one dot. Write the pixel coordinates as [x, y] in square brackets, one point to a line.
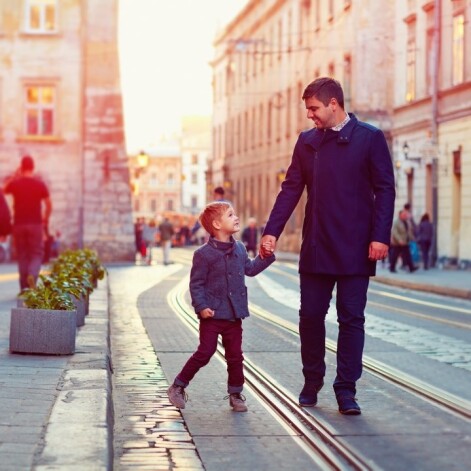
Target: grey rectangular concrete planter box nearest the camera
[42, 331]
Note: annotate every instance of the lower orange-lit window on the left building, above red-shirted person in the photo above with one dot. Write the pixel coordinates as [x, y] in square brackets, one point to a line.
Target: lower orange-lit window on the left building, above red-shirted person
[39, 110]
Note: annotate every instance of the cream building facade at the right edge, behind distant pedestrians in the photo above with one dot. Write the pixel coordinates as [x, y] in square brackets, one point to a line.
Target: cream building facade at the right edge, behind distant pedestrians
[432, 118]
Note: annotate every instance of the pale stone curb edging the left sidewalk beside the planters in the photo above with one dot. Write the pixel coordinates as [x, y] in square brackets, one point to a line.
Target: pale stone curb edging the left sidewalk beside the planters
[78, 435]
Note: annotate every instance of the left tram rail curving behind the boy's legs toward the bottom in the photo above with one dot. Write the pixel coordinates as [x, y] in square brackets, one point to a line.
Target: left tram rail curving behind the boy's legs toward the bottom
[319, 443]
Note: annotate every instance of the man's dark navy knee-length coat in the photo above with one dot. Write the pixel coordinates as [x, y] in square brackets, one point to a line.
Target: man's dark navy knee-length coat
[349, 178]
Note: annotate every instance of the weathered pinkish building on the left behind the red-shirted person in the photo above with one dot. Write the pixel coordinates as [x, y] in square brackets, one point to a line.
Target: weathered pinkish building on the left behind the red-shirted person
[60, 102]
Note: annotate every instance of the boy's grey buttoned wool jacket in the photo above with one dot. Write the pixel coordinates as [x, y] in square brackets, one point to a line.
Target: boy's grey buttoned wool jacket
[217, 279]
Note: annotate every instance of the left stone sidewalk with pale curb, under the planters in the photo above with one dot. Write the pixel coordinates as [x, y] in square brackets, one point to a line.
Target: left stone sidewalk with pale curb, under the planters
[56, 411]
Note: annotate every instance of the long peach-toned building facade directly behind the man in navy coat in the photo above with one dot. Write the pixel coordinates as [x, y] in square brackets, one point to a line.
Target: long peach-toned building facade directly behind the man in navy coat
[263, 61]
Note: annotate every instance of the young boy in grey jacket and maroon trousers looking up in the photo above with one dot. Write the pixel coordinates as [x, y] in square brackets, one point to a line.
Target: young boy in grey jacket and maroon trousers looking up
[219, 297]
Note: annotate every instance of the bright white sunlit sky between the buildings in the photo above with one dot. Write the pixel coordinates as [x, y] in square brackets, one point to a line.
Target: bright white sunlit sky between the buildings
[165, 50]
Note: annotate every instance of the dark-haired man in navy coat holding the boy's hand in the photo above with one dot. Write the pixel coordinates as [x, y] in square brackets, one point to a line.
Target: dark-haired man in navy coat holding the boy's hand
[346, 168]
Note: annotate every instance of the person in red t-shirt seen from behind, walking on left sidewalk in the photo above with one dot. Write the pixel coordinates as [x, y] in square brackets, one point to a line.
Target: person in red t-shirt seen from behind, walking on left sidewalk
[32, 208]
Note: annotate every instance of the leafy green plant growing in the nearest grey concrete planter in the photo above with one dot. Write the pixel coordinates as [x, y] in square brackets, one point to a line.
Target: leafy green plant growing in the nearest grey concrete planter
[48, 294]
